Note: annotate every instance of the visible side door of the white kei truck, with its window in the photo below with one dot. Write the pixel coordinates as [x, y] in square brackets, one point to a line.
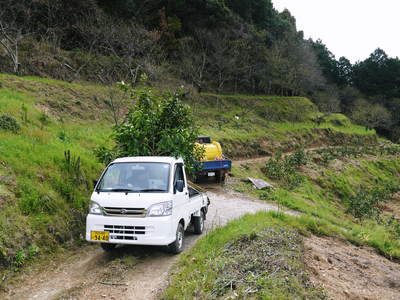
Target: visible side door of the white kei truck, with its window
[181, 199]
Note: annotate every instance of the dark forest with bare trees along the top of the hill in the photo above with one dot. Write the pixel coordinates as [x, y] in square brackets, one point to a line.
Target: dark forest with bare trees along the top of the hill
[224, 46]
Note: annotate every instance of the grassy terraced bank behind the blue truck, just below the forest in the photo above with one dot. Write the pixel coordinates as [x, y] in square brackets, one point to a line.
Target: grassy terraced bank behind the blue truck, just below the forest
[251, 126]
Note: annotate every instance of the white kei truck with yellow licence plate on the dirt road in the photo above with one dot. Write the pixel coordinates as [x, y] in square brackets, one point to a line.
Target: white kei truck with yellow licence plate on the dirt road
[145, 201]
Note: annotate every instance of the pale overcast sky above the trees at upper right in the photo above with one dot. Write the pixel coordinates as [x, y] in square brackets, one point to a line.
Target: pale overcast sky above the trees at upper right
[350, 28]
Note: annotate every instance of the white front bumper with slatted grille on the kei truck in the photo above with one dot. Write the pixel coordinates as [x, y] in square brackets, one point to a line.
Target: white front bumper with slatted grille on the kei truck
[155, 231]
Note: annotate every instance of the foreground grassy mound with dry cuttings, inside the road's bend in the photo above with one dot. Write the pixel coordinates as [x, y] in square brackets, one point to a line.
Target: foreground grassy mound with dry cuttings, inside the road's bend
[255, 257]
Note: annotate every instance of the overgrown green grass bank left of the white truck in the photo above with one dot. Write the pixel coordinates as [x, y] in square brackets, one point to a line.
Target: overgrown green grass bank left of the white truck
[42, 203]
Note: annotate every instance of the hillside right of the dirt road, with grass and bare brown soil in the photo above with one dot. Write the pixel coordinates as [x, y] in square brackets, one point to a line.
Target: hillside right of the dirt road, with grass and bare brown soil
[347, 198]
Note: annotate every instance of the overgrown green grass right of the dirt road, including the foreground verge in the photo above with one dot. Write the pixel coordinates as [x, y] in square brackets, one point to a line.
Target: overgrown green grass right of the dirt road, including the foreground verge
[238, 260]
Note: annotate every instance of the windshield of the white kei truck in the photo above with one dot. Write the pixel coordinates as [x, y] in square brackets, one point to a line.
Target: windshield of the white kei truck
[135, 177]
